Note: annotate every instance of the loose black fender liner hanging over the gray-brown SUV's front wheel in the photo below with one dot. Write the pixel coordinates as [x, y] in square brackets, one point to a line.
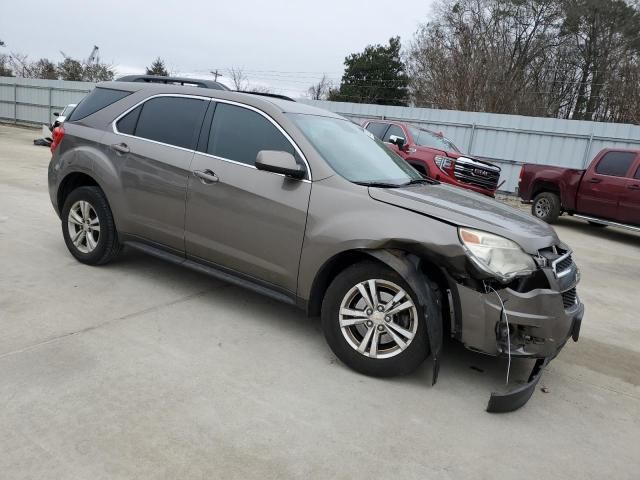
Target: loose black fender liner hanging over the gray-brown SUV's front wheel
[407, 266]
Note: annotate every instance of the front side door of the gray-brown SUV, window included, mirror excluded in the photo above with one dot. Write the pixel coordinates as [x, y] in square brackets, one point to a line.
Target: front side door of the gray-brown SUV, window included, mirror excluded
[238, 217]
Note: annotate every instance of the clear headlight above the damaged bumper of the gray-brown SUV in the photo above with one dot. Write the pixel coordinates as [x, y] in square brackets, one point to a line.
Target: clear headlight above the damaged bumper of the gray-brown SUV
[496, 255]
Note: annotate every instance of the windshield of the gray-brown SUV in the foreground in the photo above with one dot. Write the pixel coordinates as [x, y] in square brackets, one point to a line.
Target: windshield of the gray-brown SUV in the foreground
[354, 153]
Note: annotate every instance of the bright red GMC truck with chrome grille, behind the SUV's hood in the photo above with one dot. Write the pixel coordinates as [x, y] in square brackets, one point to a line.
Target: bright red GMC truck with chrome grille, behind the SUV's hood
[437, 157]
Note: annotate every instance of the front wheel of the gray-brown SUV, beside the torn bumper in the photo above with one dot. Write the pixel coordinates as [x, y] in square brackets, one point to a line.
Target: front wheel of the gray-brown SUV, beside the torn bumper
[373, 323]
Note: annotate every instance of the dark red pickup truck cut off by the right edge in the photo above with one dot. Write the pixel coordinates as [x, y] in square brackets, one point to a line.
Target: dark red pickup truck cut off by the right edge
[607, 193]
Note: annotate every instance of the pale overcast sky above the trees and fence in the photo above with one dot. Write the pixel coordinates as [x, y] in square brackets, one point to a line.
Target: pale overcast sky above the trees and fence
[283, 44]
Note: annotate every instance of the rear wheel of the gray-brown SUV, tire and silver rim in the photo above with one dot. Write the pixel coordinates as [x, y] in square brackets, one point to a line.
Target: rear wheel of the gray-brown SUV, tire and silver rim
[88, 227]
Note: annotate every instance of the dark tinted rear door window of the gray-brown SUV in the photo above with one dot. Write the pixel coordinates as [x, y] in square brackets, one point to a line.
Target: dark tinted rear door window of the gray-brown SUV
[172, 120]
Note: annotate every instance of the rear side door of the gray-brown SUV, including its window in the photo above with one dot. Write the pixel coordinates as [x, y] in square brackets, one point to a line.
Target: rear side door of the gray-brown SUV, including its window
[152, 146]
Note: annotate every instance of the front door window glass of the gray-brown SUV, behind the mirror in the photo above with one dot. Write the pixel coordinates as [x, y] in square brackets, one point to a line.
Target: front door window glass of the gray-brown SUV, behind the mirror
[239, 134]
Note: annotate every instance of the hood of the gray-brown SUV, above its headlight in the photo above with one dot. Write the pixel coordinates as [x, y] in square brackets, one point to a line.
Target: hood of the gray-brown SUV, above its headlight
[468, 209]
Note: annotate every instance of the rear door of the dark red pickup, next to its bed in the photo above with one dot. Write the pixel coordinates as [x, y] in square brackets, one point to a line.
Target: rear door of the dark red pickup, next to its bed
[604, 185]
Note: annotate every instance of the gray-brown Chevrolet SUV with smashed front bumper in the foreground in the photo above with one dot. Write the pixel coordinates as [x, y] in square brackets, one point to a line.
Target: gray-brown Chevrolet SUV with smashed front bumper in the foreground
[304, 206]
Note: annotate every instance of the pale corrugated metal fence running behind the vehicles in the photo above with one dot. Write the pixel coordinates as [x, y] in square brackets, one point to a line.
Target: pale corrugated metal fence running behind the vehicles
[508, 140]
